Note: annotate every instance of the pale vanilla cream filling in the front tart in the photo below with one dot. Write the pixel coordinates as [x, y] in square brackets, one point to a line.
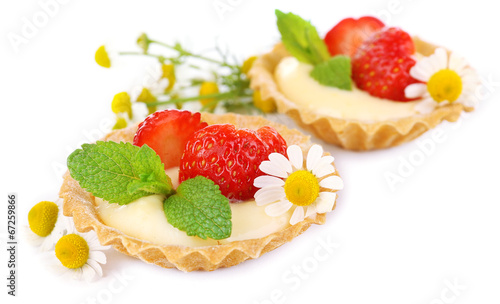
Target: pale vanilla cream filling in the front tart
[145, 219]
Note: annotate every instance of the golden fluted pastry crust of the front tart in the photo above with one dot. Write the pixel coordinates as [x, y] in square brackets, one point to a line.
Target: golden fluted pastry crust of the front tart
[80, 204]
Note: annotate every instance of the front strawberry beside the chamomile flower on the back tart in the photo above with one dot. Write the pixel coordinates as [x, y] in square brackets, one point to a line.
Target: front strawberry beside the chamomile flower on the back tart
[382, 63]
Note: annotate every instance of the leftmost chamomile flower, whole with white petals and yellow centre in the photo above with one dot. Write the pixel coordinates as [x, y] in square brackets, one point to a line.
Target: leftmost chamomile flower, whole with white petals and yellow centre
[46, 225]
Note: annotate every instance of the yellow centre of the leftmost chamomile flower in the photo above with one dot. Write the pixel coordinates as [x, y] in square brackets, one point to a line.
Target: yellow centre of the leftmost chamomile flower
[43, 217]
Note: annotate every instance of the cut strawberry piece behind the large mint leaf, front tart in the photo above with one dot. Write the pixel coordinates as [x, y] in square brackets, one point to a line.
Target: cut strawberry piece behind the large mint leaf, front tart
[167, 132]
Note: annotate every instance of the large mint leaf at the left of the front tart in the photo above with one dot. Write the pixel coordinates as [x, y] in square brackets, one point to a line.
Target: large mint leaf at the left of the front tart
[119, 172]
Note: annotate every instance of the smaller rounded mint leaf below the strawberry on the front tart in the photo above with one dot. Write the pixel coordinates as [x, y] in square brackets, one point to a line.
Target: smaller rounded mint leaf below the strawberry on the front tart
[198, 208]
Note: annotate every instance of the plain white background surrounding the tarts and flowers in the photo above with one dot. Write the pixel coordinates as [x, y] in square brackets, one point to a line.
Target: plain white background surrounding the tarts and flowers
[407, 244]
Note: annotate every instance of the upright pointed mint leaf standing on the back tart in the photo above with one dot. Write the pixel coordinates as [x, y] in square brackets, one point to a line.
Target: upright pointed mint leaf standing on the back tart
[301, 38]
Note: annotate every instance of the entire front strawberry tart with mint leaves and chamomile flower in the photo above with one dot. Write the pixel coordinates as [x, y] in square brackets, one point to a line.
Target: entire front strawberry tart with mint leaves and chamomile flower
[152, 219]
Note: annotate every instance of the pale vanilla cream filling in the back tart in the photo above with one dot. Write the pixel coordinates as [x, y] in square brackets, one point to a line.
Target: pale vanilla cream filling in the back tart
[295, 83]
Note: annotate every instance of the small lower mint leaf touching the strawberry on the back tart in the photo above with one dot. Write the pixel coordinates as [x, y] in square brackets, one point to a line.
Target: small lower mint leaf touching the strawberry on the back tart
[335, 72]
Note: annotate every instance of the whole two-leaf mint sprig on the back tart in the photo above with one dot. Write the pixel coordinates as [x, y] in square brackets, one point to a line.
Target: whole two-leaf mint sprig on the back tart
[302, 41]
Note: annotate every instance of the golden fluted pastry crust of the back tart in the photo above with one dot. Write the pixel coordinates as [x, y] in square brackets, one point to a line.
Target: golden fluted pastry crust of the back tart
[349, 134]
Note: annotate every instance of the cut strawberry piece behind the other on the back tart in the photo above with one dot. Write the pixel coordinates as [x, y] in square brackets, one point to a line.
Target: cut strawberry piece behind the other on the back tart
[345, 37]
